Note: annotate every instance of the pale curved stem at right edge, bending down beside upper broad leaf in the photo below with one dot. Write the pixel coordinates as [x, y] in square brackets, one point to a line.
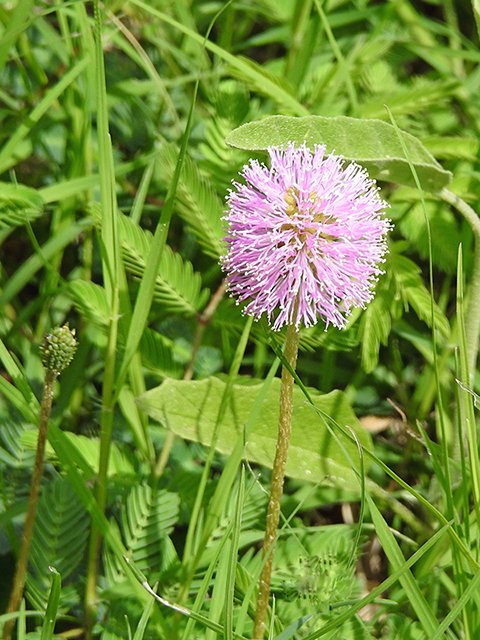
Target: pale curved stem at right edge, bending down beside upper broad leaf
[472, 315]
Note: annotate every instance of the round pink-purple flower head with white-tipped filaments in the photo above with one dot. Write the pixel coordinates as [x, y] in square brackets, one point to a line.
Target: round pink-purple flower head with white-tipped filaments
[305, 237]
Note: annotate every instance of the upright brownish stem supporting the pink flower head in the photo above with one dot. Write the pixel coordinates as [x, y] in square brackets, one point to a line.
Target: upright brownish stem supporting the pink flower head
[278, 475]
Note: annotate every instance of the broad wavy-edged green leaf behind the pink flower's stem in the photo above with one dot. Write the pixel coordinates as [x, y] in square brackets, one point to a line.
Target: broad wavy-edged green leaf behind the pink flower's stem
[190, 409]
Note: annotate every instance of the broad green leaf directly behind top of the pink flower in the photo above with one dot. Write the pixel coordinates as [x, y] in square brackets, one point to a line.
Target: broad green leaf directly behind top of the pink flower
[372, 143]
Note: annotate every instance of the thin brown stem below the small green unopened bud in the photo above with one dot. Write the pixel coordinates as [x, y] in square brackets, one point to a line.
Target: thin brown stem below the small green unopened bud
[21, 570]
